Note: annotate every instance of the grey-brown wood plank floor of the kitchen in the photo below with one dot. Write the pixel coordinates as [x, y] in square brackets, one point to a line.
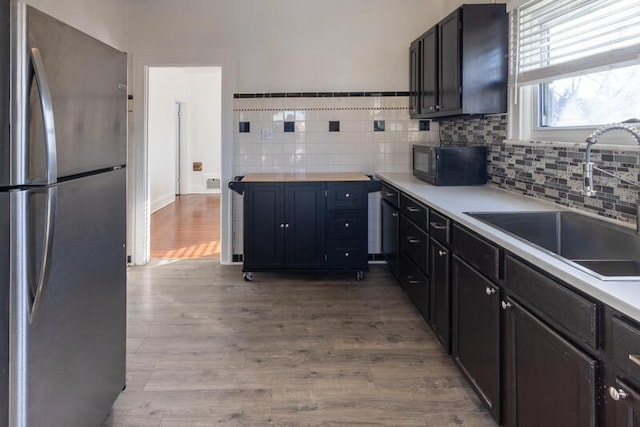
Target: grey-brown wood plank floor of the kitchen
[206, 348]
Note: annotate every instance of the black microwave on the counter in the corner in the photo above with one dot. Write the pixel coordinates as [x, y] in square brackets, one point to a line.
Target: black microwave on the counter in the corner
[450, 165]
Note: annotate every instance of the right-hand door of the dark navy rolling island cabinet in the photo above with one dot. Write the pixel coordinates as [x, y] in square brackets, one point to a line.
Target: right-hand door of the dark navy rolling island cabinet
[305, 230]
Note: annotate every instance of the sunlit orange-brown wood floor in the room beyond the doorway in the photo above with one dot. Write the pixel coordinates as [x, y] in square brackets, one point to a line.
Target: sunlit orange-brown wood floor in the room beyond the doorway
[189, 228]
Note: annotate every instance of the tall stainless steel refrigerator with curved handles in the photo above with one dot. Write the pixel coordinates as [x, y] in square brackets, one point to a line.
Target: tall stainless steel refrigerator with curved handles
[62, 222]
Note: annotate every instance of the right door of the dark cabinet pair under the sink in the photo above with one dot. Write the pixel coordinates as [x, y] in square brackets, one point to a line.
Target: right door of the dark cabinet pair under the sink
[548, 381]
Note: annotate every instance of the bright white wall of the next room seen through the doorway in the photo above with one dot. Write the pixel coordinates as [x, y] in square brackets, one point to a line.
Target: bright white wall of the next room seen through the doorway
[199, 89]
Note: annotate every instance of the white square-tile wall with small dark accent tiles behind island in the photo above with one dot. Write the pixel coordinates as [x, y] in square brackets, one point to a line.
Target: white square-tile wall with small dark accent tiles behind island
[312, 148]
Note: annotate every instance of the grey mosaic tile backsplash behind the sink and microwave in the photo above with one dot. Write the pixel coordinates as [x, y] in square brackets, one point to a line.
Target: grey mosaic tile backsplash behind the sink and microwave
[552, 171]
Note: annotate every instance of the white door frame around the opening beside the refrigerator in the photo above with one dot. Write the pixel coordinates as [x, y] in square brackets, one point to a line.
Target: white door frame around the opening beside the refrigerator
[138, 219]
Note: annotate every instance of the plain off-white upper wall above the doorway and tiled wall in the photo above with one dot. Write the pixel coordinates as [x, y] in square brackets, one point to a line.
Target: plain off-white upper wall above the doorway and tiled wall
[286, 45]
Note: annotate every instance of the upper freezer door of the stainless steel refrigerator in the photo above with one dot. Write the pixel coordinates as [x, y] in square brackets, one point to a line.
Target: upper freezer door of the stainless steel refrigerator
[87, 81]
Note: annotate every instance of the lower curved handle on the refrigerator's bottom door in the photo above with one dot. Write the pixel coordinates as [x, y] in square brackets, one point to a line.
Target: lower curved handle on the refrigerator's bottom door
[43, 274]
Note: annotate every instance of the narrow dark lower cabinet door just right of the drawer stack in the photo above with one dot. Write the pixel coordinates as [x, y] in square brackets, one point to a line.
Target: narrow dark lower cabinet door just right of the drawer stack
[440, 287]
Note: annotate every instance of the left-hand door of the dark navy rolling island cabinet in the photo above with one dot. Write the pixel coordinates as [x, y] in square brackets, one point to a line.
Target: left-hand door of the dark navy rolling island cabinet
[264, 226]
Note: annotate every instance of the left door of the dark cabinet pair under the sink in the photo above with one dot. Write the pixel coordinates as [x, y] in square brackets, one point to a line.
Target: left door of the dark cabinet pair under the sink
[476, 332]
